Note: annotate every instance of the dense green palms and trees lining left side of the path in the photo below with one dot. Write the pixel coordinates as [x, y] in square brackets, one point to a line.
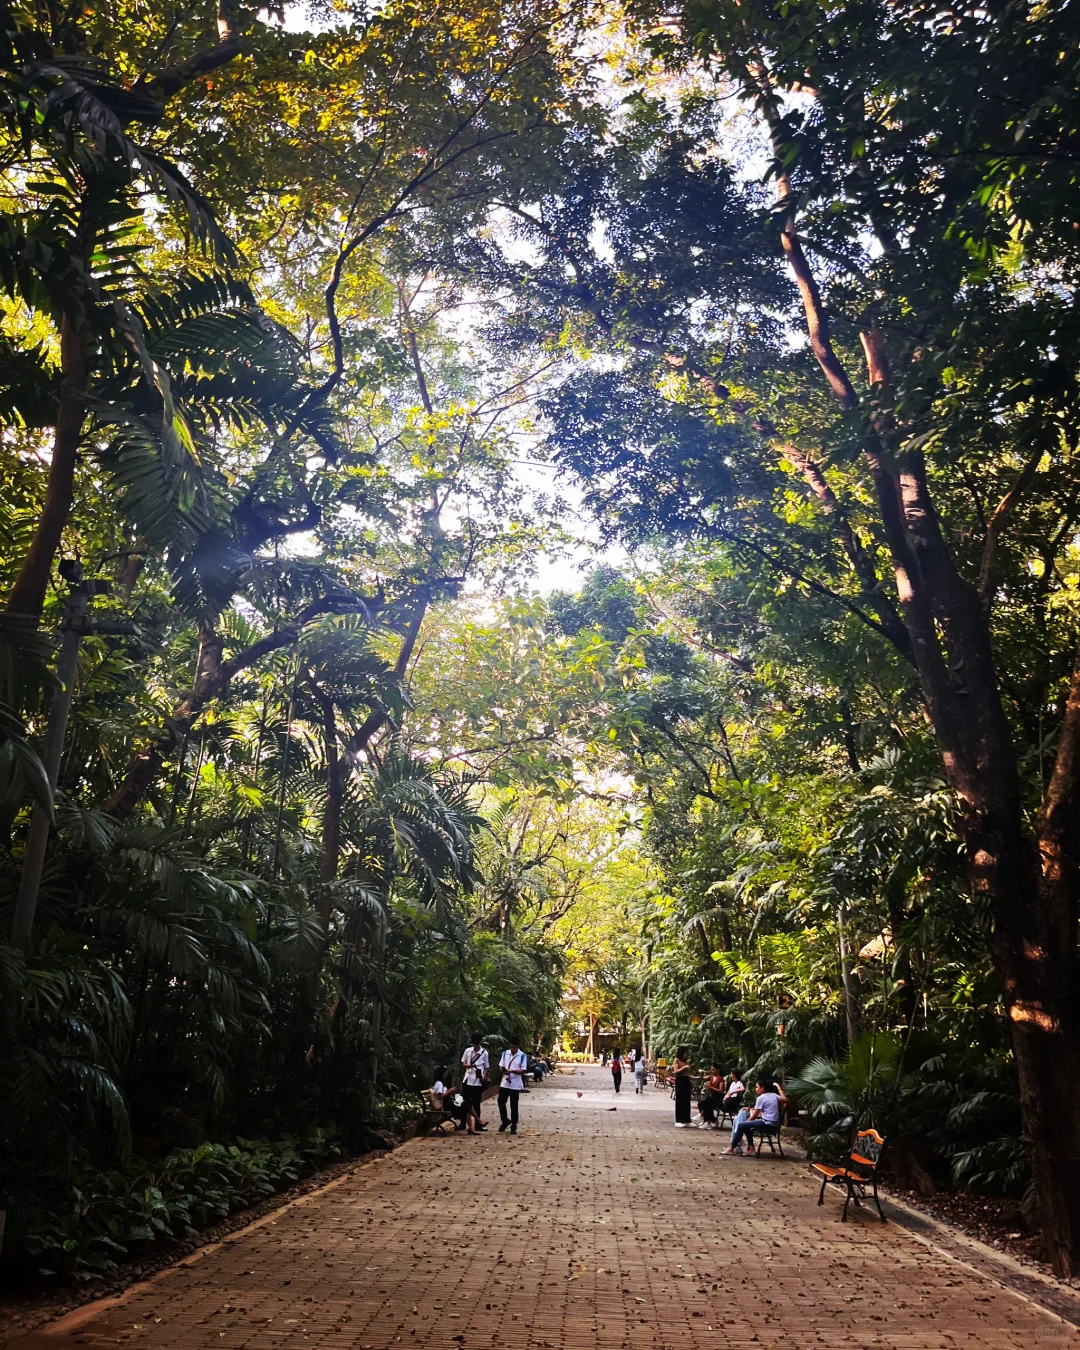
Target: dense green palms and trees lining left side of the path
[257, 912]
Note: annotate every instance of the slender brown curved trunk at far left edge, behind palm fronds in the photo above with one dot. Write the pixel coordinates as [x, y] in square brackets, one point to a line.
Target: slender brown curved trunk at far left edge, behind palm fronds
[32, 585]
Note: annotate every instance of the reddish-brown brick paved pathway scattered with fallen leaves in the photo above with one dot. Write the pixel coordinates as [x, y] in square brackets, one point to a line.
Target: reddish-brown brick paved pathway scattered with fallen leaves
[593, 1229]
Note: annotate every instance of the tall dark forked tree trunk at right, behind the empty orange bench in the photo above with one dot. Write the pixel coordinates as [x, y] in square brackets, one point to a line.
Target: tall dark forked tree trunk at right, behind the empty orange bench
[1029, 884]
